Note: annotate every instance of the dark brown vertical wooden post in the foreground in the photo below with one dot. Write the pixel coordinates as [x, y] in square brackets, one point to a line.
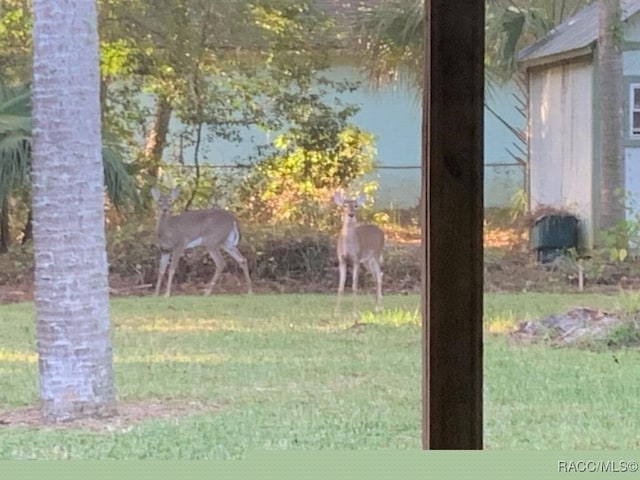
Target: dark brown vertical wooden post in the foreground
[453, 220]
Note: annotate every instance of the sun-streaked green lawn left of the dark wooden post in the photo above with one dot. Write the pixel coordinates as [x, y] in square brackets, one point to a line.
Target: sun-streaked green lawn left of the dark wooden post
[287, 374]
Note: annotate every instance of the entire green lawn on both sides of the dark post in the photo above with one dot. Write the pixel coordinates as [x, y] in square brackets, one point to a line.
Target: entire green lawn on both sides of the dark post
[288, 375]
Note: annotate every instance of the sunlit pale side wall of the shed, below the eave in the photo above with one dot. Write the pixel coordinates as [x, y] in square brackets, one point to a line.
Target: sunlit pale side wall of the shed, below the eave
[561, 140]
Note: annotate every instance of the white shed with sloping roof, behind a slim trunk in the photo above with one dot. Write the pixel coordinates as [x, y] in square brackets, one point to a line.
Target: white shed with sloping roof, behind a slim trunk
[562, 78]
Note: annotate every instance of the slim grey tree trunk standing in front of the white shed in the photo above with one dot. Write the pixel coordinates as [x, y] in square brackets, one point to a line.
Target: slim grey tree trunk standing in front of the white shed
[612, 177]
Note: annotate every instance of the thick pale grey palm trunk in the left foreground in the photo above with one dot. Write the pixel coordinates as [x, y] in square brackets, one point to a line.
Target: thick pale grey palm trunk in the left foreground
[71, 288]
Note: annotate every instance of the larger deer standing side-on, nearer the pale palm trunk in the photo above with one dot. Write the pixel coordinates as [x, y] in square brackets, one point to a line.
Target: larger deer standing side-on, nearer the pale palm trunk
[215, 229]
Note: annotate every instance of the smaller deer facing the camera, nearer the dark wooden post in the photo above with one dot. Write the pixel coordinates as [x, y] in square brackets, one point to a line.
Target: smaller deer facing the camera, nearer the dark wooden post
[357, 244]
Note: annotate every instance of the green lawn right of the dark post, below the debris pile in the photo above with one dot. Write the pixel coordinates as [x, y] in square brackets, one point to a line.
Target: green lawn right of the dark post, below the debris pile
[537, 397]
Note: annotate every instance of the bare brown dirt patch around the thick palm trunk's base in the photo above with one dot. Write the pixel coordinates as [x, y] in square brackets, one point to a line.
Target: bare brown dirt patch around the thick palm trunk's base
[129, 414]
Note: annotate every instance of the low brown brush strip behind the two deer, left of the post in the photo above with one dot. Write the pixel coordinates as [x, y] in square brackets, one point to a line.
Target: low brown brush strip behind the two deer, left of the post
[284, 259]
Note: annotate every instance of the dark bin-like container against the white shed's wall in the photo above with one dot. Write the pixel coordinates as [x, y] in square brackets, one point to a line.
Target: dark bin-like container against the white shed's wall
[551, 235]
